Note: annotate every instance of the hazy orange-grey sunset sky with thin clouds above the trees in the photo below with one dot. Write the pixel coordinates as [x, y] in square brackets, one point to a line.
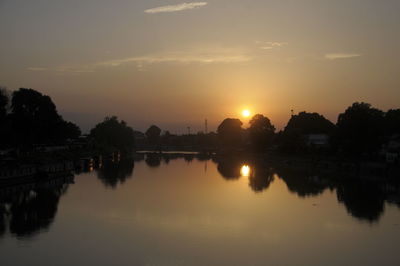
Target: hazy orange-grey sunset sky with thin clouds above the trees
[174, 63]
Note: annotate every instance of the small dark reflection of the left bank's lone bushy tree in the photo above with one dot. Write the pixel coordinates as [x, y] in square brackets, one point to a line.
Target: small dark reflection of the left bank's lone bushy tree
[114, 173]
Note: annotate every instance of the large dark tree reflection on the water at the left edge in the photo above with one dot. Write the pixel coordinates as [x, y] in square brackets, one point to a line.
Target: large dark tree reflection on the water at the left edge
[29, 211]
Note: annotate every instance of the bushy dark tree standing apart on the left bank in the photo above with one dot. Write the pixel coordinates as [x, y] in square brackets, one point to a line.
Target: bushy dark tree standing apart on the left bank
[113, 134]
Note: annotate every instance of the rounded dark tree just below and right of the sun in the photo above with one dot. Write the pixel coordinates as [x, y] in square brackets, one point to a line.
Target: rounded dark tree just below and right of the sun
[261, 131]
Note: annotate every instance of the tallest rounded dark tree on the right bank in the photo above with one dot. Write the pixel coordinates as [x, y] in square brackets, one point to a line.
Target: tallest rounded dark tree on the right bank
[360, 129]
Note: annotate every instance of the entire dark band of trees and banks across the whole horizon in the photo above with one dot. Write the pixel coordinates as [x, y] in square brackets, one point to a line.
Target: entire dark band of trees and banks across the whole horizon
[36, 141]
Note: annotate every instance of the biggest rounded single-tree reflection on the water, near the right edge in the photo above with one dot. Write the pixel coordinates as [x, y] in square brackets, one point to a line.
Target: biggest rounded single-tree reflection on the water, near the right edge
[363, 200]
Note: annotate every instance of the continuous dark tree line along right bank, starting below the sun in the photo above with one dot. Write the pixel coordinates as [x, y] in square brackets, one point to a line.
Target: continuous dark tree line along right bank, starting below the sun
[360, 130]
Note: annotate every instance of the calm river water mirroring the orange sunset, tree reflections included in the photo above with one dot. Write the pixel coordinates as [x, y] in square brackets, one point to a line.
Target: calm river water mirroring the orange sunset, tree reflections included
[196, 211]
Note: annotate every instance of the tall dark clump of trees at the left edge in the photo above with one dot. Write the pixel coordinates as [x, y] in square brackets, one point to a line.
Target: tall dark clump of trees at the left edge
[28, 117]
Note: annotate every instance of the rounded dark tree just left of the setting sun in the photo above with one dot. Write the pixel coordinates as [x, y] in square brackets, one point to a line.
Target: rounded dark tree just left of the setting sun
[230, 132]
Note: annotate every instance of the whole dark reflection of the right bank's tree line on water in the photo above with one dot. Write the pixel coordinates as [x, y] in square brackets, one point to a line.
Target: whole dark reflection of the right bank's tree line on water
[364, 200]
